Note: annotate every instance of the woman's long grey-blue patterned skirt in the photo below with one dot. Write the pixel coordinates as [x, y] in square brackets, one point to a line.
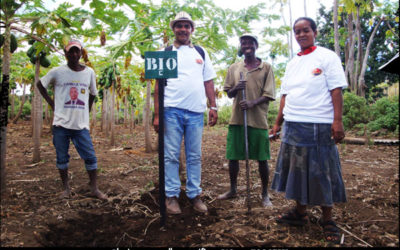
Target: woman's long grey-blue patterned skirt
[308, 167]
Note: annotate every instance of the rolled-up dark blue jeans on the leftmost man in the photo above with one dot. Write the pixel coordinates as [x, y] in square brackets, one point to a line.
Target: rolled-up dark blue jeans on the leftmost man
[82, 142]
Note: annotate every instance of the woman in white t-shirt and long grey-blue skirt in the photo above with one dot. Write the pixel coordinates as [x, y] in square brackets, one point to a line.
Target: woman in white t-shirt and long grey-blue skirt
[308, 167]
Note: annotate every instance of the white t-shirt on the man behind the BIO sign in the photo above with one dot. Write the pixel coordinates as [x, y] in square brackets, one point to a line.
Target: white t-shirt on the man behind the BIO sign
[188, 91]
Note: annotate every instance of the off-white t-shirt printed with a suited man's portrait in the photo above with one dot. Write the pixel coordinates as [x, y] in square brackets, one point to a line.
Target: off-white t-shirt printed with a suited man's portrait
[71, 112]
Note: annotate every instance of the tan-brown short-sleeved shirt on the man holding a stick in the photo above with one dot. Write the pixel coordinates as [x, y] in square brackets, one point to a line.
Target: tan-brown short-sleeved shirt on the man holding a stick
[260, 82]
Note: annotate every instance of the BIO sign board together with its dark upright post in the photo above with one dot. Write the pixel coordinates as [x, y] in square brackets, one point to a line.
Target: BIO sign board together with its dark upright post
[161, 65]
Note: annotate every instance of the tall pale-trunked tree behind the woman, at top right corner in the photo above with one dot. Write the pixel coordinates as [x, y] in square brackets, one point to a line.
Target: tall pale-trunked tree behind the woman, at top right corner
[362, 25]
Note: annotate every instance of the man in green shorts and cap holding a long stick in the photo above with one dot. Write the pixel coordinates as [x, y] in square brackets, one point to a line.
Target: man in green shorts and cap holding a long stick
[259, 85]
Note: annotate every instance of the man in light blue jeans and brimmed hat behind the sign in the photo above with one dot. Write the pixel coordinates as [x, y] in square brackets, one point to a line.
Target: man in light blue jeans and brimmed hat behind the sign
[185, 102]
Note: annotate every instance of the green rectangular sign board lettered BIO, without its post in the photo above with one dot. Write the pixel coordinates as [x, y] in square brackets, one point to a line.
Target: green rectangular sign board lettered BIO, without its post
[160, 64]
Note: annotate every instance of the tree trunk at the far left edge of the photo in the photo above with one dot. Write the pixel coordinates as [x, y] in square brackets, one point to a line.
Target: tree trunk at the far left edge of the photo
[5, 84]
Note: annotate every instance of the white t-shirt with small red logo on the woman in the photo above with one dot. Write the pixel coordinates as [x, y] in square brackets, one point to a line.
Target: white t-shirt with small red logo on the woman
[307, 84]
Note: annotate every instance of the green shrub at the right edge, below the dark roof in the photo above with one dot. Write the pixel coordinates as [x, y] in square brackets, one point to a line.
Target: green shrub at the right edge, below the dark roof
[385, 114]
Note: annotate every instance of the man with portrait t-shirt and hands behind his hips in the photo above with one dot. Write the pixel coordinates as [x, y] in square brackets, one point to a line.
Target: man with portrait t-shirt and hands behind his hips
[74, 93]
